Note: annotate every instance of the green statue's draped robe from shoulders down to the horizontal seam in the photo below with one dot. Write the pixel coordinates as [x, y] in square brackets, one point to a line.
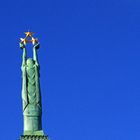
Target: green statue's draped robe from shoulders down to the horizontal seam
[31, 91]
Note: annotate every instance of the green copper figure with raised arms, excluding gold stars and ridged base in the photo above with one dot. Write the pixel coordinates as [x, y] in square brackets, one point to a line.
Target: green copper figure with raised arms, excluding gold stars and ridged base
[31, 96]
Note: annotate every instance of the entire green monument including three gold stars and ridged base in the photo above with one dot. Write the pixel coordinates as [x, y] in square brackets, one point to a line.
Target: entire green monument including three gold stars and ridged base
[31, 95]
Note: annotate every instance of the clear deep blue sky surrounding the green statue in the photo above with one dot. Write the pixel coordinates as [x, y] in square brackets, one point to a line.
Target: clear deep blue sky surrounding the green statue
[90, 67]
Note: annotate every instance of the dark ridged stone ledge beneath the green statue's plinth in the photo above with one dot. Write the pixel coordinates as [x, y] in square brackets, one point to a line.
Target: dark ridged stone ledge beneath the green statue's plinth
[33, 137]
